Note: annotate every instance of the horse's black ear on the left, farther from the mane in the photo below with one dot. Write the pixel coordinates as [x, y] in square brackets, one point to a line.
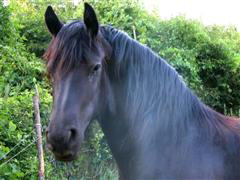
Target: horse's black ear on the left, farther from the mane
[52, 21]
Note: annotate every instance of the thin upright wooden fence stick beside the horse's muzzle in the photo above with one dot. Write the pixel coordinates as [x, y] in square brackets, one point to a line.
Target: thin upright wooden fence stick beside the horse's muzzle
[39, 134]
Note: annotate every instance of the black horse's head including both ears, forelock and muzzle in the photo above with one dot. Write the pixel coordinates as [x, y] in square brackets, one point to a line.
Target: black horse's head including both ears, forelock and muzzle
[75, 60]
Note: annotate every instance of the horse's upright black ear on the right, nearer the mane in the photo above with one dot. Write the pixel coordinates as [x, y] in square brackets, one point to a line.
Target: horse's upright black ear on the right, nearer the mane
[90, 20]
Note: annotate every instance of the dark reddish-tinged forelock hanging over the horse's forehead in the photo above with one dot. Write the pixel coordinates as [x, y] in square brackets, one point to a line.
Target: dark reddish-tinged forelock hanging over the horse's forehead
[68, 49]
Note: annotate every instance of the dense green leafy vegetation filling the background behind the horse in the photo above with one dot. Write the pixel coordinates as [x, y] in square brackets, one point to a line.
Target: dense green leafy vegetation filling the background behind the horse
[208, 58]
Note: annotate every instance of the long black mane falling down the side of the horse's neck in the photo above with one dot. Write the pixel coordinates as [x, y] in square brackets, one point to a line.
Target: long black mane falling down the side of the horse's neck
[169, 98]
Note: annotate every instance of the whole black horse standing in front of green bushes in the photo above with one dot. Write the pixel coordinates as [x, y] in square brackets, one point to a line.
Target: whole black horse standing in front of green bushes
[155, 126]
